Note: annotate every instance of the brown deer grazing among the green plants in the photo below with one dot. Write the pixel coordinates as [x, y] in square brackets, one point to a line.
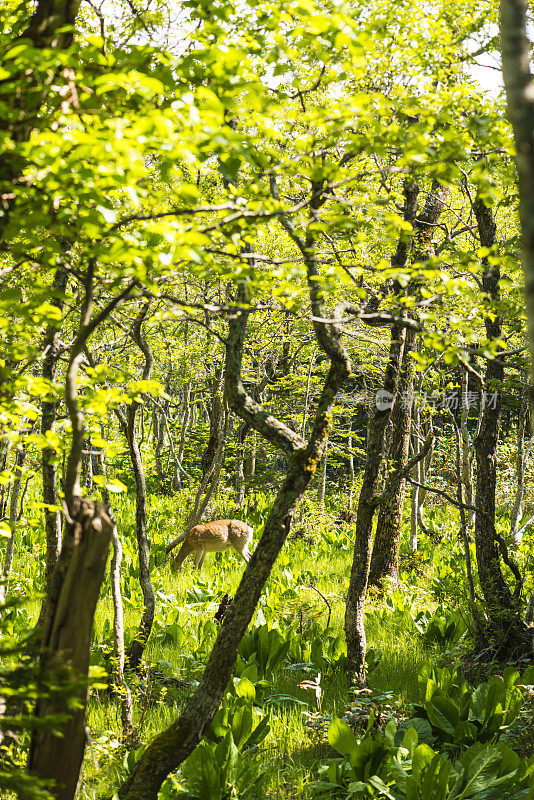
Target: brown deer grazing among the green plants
[213, 537]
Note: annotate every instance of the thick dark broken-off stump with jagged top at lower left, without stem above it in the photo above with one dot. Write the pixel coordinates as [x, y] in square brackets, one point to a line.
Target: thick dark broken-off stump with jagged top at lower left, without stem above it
[66, 644]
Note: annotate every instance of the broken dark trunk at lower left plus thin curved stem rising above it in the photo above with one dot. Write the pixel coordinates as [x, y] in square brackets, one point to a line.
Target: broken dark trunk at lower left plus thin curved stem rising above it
[75, 585]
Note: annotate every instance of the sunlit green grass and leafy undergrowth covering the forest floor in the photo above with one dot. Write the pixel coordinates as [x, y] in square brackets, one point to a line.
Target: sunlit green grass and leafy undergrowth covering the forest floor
[289, 682]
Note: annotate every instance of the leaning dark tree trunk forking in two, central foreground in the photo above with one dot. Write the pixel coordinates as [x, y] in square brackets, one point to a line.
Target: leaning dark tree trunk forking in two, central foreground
[170, 748]
